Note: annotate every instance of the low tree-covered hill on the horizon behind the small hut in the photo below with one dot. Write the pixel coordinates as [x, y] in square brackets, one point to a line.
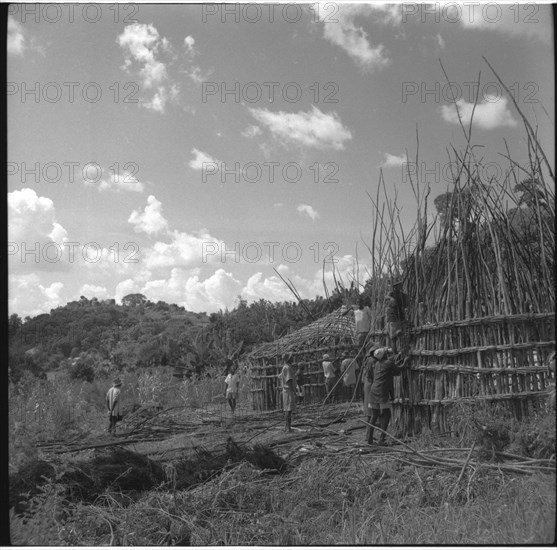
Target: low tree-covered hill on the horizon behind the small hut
[89, 337]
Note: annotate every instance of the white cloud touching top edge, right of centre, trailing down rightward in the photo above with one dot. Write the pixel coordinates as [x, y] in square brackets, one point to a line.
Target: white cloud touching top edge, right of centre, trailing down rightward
[342, 31]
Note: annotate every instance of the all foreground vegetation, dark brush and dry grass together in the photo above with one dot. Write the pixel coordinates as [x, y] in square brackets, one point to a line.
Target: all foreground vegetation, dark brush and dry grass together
[316, 495]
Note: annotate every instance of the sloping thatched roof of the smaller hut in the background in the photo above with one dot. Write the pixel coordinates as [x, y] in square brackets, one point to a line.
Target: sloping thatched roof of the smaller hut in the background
[333, 329]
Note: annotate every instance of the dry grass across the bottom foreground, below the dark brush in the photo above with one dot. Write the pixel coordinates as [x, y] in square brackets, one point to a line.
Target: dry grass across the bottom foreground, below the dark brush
[346, 499]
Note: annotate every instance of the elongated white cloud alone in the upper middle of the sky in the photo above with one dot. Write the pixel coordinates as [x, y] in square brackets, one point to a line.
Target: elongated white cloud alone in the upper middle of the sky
[311, 129]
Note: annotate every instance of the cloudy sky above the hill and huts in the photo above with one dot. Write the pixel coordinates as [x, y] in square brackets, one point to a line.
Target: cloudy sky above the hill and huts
[192, 153]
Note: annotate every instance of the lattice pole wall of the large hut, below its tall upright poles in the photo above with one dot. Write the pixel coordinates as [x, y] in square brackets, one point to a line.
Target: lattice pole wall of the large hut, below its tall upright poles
[497, 359]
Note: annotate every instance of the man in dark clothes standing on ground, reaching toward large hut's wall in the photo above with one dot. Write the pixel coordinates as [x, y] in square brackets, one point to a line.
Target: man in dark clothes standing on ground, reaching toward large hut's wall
[381, 392]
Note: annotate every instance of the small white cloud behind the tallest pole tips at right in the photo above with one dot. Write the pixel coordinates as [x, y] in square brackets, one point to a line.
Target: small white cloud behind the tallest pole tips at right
[487, 115]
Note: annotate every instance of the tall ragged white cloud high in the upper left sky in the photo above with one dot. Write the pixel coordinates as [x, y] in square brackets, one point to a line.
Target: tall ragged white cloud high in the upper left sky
[143, 47]
